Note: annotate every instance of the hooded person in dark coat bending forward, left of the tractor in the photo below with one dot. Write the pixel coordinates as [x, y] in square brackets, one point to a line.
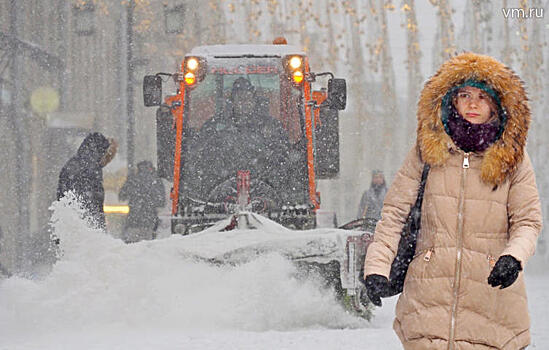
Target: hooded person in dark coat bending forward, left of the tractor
[83, 175]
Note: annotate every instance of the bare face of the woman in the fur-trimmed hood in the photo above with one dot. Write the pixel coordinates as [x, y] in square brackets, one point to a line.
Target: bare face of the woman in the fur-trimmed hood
[474, 105]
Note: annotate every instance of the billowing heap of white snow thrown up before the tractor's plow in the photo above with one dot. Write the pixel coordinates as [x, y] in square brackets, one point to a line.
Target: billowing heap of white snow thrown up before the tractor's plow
[99, 281]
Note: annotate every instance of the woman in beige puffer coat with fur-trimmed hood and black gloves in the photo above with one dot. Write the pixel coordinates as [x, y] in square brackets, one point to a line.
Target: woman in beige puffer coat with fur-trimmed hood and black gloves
[480, 215]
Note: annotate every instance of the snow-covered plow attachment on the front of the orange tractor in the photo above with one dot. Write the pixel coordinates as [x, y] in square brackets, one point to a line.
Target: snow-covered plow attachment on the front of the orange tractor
[331, 255]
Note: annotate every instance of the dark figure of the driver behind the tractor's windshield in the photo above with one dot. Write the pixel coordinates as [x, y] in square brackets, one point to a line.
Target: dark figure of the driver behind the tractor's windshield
[245, 138]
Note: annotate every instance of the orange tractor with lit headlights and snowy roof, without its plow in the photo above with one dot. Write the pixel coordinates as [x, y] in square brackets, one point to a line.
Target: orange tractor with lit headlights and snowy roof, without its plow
[246, 132]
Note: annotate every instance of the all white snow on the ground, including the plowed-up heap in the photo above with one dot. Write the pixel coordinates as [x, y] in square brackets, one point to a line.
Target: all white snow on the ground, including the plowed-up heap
[103, 294]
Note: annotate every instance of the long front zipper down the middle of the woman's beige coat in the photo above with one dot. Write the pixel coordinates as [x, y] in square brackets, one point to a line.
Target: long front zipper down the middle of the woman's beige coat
[459, 247]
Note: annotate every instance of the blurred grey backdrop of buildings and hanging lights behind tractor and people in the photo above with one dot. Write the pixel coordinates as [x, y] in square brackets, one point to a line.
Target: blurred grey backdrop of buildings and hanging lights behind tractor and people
[71, 66]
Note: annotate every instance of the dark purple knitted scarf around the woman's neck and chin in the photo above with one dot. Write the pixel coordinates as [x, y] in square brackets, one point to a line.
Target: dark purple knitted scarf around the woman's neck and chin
[471, 137]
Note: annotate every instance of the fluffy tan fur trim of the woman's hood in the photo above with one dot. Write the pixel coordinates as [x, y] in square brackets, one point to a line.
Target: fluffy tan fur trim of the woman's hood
[502, 157]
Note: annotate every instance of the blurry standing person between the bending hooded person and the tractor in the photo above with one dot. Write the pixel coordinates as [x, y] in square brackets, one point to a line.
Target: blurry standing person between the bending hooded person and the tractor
[145, 192]
